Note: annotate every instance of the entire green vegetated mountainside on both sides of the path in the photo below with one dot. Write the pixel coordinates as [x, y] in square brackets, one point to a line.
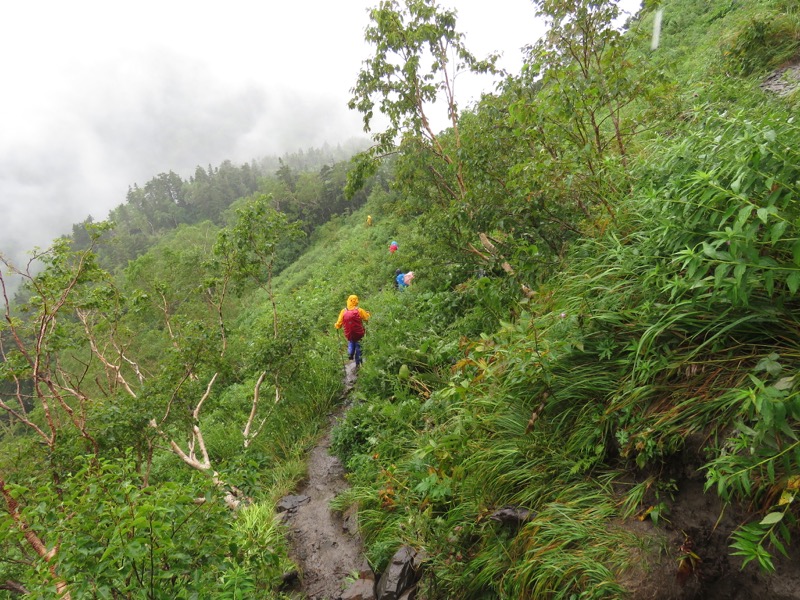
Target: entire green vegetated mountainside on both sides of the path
[589, 389]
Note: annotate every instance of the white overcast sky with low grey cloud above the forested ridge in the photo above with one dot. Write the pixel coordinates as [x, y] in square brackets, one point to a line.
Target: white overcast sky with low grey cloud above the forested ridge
[98, 95]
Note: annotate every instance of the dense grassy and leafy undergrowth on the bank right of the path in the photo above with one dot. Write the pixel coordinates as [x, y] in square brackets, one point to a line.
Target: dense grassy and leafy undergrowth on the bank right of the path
[661, 363]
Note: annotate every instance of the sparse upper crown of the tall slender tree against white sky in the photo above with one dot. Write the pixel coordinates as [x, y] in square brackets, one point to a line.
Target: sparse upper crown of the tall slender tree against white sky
[418, 55]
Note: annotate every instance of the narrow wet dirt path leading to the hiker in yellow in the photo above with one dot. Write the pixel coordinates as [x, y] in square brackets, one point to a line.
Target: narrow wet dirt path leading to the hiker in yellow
[325, 545]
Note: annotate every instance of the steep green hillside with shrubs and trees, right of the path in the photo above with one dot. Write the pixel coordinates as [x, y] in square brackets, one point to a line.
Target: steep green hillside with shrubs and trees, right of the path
[620, 367]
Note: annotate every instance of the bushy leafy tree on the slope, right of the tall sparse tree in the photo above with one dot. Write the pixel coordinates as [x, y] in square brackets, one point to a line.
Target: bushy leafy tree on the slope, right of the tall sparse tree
[581, 98]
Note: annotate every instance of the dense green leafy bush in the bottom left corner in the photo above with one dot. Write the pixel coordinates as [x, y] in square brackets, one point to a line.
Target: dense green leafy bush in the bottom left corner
[119, 537]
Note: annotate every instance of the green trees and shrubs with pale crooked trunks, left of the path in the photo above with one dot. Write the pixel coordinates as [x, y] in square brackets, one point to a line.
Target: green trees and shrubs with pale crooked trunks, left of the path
[134, 366]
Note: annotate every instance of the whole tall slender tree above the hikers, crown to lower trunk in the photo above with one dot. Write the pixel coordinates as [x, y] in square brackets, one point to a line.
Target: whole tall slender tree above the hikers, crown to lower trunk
[419, 53]
